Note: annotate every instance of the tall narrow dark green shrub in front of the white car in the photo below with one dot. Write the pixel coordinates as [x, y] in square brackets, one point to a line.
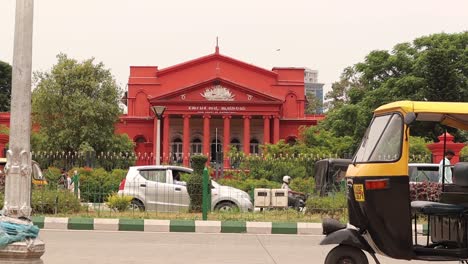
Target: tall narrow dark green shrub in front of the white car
[195, 183]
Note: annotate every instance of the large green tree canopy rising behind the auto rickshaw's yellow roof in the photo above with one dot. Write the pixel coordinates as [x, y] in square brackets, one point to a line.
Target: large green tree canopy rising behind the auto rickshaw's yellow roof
[431, 68]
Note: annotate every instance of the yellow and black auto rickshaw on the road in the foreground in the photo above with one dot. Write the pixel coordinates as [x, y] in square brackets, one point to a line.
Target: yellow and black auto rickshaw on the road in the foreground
[380, 211]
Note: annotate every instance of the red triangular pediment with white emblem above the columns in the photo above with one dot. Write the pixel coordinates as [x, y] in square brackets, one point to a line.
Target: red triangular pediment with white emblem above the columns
[217, 90]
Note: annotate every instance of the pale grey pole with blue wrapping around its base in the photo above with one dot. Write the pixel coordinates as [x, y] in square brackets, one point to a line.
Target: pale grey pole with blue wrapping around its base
[18, 168]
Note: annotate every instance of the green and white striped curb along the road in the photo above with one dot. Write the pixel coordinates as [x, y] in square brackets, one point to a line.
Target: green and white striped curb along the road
[190, 226]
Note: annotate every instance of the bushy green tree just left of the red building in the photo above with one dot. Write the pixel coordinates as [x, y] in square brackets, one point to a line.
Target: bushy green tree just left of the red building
[76, 105]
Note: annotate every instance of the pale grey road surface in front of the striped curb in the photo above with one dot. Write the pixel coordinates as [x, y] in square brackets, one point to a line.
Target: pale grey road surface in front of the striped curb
[89, 247]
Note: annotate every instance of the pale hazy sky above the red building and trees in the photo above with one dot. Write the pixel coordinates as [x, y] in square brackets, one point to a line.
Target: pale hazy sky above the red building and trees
[326, 35]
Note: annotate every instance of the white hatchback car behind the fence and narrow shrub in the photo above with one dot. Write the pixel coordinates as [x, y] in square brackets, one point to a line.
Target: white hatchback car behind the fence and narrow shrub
[158, 188]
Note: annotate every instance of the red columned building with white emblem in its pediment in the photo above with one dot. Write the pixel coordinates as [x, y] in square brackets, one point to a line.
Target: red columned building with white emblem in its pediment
[211, 104]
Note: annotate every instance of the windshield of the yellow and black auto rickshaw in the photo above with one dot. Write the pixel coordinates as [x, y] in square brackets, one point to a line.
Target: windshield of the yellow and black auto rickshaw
[382, 141]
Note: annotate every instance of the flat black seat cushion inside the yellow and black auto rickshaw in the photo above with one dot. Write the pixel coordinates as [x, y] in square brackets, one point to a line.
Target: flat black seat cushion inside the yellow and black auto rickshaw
[434, 208]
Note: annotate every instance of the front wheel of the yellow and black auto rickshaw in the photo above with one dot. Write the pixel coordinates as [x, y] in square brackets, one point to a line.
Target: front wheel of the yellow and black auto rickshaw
[343, 254]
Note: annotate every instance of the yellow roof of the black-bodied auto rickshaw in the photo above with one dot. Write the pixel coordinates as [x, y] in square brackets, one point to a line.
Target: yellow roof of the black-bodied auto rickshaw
[453, 114]
